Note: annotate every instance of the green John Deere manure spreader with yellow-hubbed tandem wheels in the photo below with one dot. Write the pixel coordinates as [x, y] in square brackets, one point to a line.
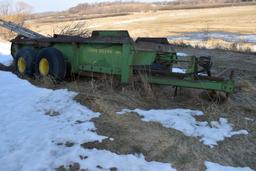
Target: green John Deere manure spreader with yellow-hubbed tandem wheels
[113, 53]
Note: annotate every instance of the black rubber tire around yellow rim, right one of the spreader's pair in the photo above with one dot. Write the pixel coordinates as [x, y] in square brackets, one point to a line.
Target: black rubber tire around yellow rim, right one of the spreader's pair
[56, 61]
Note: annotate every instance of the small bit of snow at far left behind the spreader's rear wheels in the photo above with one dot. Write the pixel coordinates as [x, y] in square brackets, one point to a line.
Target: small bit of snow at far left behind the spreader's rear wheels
[5, 57]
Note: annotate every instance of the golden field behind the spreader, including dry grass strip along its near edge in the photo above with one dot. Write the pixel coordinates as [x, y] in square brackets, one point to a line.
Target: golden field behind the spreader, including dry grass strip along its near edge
[239, 20]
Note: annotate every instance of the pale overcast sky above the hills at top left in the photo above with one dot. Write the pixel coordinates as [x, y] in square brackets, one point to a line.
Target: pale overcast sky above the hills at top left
[59, 5]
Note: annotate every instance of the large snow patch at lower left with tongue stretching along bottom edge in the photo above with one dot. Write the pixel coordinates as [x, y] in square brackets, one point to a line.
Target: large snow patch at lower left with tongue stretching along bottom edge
[36, 123]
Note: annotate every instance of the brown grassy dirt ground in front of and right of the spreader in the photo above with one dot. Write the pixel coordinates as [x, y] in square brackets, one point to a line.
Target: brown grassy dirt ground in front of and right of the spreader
[131, 135]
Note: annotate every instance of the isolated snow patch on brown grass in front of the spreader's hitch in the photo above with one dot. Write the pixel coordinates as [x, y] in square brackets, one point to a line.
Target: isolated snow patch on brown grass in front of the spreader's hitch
[183, 120]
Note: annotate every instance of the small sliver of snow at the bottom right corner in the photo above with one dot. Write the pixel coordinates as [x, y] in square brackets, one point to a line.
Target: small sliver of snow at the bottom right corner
[217, 167]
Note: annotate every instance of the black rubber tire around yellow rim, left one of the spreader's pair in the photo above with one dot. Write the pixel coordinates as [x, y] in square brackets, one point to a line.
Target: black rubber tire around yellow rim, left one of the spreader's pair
[28, 56]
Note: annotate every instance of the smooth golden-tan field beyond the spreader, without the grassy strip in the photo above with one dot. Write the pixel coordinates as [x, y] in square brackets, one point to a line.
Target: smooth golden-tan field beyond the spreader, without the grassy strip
[164, 23]
